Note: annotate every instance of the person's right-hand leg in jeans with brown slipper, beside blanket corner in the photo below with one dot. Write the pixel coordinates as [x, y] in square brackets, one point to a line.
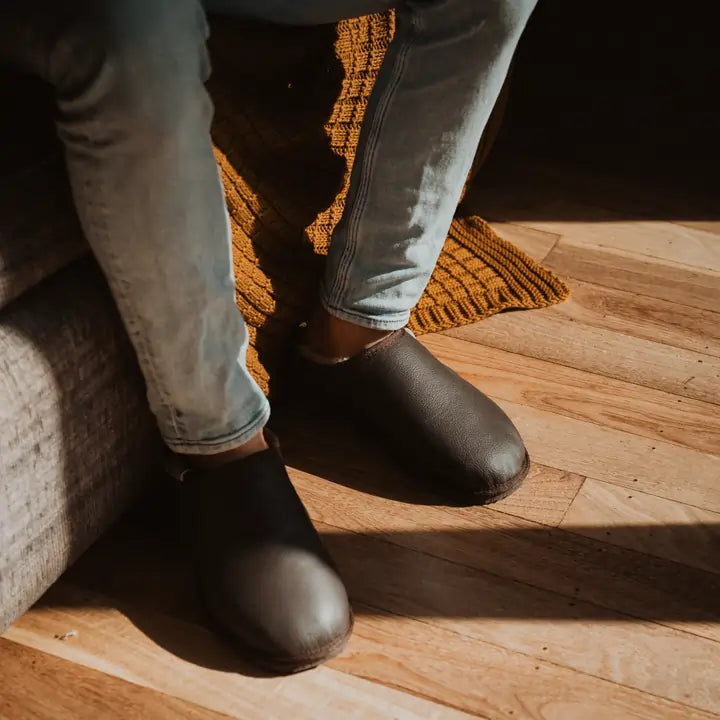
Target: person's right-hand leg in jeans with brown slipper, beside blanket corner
[435, 91]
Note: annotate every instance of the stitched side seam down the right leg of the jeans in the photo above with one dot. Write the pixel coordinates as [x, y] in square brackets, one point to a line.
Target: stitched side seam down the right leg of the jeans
[339, 287]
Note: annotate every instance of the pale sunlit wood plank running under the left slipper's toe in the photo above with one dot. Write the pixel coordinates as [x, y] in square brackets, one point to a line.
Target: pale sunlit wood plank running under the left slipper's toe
[189, 662]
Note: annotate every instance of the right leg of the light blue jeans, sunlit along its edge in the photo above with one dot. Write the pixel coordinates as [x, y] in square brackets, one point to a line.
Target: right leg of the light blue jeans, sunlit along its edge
[436, 89]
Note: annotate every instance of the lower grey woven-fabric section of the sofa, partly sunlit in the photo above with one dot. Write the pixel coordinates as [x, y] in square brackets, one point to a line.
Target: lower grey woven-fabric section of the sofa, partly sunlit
[76, 438]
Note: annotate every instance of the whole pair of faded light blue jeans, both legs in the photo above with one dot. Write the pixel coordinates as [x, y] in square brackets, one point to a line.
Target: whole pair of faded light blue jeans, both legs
[134, 117]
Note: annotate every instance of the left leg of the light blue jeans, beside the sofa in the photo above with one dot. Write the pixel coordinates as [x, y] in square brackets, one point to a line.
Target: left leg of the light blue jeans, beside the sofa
[134, 118]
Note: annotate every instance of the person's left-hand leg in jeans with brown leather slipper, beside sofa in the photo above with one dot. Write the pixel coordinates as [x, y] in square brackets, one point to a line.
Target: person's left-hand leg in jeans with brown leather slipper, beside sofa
[134, 118]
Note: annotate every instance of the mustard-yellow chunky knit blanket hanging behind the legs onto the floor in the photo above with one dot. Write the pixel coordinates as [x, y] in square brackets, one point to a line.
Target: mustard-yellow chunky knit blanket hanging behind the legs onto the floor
[289, 107]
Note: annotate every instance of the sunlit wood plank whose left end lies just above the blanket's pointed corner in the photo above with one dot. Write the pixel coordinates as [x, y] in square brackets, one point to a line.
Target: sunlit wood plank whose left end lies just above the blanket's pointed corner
[676, 284]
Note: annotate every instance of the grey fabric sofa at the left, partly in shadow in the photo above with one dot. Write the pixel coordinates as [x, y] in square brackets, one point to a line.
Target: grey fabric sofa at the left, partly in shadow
[77, 442]
